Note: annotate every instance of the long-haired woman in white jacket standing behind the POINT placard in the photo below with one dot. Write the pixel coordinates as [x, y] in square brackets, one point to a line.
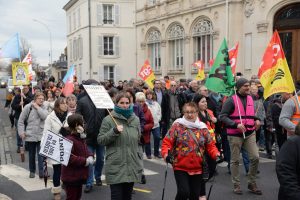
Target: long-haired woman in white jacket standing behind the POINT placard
[54, 122]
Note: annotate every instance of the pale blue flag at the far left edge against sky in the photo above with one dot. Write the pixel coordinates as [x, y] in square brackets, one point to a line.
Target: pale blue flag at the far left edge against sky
[11, 49]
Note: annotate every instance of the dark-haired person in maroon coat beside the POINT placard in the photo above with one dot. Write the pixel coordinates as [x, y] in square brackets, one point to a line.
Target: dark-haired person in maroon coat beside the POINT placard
[75, 174]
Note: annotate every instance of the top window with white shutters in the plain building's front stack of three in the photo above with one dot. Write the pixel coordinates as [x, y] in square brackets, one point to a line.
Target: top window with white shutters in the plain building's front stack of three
[108, 14]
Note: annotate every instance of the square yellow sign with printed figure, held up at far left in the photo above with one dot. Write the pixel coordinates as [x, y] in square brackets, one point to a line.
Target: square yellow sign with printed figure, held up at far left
[20, 73]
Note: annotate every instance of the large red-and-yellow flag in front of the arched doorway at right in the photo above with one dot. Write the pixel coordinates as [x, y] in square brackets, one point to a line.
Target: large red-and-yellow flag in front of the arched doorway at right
[274, 73]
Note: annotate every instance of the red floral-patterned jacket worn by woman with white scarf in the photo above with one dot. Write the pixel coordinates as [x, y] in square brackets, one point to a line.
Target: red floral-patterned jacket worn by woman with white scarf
[185, 155]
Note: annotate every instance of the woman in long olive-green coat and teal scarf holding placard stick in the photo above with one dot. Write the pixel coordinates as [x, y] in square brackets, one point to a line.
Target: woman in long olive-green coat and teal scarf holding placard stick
[123, 160]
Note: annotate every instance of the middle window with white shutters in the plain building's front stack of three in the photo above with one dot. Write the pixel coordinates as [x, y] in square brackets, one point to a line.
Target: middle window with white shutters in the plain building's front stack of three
[108, 46]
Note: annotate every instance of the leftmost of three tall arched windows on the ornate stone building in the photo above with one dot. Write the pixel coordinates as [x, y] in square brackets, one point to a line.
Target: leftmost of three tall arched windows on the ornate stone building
[153, 42]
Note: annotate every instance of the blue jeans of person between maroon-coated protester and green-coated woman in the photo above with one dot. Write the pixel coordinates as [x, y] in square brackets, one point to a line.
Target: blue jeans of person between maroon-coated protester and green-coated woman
[97, 170]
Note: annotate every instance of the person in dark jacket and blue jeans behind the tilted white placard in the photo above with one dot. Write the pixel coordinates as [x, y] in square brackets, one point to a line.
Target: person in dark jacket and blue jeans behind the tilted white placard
[93, 118]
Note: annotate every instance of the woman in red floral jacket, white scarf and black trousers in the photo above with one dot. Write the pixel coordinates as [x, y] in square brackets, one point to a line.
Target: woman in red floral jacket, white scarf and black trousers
[187, 165]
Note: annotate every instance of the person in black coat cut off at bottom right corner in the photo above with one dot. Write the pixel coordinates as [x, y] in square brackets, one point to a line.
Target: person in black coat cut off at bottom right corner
[288, 168]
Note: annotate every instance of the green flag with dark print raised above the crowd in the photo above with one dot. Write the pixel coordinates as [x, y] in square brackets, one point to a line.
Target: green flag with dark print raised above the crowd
[220, 78]
